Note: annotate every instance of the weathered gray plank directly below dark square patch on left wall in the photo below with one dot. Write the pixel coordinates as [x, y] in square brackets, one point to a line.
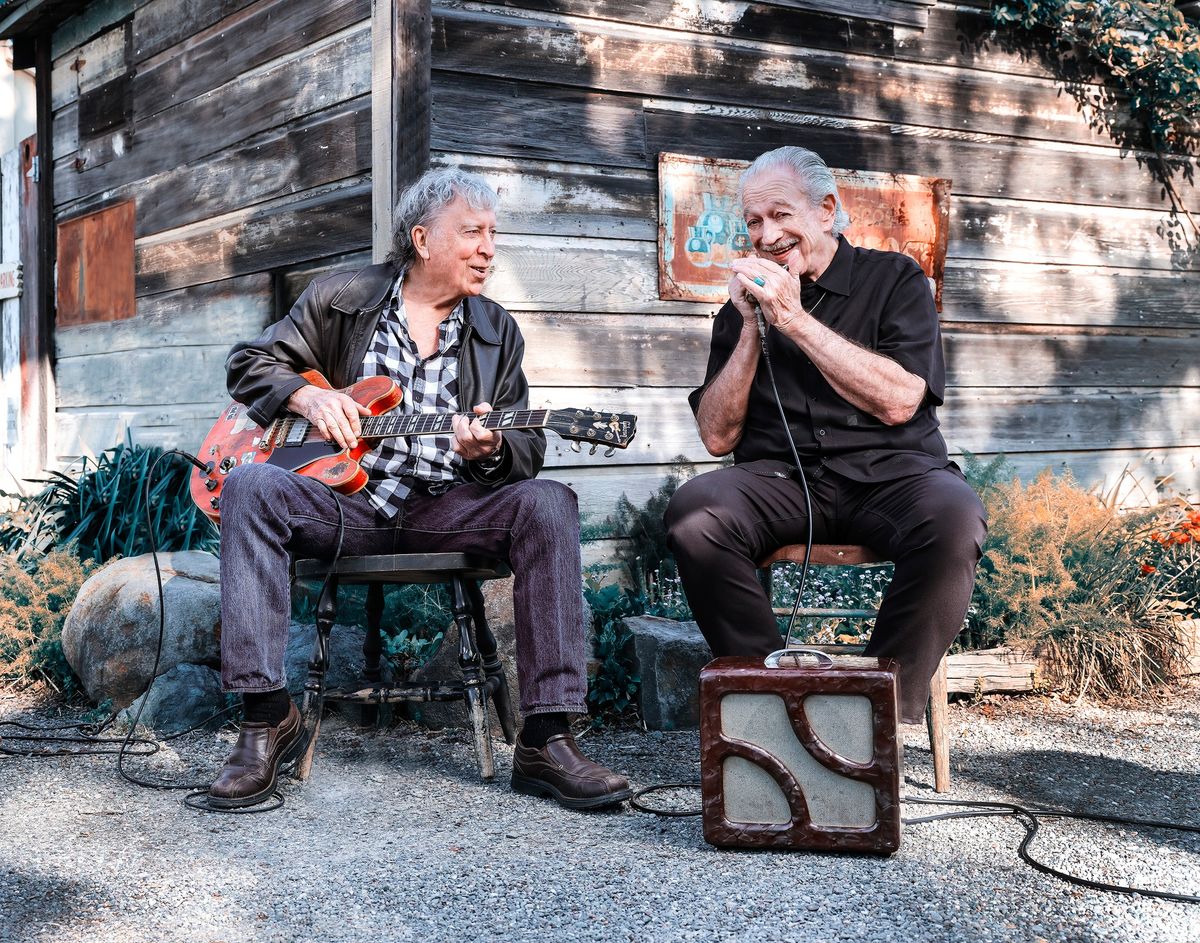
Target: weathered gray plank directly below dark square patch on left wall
[332, 71]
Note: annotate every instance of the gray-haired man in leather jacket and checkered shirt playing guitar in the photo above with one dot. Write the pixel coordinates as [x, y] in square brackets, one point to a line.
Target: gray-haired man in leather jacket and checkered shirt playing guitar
[419, 319]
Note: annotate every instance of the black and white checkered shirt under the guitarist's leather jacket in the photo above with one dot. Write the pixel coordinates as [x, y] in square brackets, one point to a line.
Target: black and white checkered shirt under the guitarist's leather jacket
[430, 386]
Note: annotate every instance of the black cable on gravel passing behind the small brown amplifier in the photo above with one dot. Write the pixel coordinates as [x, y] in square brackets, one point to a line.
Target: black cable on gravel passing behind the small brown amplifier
[1029, 816]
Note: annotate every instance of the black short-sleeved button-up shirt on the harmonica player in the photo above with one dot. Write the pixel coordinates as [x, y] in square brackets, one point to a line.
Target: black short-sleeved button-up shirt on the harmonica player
[880, 301]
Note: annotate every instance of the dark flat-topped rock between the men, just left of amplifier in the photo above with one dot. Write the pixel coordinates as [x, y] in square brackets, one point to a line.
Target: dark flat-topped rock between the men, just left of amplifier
[670, 657]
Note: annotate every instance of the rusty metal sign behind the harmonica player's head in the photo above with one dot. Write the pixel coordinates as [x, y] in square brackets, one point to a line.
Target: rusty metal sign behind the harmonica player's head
[701, 230]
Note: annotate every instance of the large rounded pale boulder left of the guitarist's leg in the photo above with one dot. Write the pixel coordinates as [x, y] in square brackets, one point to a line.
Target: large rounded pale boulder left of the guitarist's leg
[112, 632]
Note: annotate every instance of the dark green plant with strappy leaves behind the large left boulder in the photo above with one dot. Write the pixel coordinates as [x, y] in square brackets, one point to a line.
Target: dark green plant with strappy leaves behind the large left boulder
[100, 512]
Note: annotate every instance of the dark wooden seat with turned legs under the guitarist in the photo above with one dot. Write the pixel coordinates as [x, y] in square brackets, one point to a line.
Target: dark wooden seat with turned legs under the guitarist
[483, 676]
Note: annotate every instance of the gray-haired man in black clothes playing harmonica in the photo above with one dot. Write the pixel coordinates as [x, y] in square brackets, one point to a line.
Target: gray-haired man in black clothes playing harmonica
[853, 335]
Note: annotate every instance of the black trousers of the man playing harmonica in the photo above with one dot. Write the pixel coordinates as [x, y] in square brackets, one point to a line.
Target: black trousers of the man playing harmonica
[932, 526]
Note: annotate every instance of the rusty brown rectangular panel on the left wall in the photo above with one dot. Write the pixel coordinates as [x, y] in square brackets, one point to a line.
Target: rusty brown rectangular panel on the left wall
[95, 272]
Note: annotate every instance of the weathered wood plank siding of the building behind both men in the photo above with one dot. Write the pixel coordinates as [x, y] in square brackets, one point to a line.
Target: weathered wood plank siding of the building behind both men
[1071, 329]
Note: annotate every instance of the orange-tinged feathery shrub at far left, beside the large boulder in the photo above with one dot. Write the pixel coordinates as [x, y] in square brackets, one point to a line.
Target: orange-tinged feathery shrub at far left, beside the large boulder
[34, 604]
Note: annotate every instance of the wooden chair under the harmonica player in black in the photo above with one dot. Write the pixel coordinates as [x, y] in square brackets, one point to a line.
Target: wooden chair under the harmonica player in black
[851, 555]
